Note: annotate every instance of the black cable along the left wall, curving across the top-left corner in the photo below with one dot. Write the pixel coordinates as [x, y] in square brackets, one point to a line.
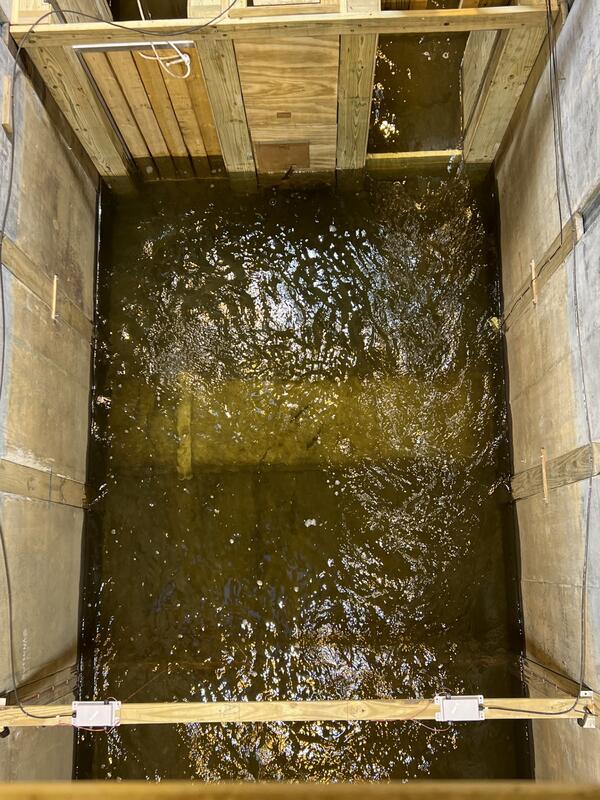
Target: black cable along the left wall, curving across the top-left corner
[3, 224]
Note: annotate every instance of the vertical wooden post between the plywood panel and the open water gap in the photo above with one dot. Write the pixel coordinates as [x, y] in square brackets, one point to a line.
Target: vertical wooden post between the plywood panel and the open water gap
[357, 68]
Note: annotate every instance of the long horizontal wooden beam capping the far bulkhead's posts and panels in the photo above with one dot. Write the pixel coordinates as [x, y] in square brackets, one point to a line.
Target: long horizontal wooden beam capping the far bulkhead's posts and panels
[386, 22]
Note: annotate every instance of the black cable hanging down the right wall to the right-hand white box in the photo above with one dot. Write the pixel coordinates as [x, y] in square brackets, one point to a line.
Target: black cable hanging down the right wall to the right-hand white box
[560, 163]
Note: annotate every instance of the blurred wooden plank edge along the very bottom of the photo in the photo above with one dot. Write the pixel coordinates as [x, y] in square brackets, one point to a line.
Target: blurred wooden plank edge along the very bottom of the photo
[257, 790]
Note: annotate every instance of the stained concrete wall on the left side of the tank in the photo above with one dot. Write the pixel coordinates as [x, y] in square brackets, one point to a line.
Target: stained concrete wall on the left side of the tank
[44, 413]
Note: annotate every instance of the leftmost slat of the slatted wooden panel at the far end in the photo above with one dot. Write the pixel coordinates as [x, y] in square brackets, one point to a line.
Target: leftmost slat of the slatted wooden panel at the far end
[115, 99]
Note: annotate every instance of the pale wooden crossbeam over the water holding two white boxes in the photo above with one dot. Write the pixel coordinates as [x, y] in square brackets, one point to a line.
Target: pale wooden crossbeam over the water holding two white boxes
[303, 711]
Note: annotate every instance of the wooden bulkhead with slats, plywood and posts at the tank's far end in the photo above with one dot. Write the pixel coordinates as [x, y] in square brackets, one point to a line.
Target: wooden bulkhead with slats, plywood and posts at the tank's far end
[272, 88]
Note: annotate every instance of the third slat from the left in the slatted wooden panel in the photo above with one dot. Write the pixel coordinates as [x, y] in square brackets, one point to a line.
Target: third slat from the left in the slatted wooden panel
[153, 78]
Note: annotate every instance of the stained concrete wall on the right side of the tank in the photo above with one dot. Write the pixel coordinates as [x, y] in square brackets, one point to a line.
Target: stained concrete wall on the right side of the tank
[545, 379]
